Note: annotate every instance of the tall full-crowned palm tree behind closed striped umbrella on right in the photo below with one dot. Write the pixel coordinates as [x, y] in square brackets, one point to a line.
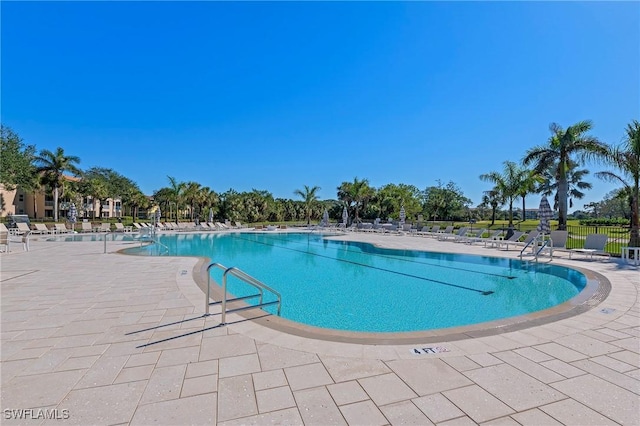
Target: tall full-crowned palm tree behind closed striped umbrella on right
[561, 147]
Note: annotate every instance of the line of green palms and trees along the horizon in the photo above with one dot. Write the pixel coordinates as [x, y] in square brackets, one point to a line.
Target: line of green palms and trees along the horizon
[553, 169]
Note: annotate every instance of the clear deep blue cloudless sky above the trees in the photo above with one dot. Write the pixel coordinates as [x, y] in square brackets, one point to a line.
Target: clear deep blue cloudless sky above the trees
[276, 95]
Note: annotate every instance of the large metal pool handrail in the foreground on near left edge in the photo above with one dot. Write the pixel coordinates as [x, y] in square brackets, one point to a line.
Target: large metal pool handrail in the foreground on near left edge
[248, 279]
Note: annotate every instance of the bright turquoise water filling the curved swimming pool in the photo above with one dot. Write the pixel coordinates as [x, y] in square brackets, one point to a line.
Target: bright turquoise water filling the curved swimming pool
[358, 287]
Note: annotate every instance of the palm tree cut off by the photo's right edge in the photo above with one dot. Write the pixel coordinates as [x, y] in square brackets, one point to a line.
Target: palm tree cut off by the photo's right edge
[626, 158]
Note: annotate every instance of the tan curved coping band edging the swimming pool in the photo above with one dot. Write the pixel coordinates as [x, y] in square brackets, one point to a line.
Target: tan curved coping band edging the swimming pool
[596, 290]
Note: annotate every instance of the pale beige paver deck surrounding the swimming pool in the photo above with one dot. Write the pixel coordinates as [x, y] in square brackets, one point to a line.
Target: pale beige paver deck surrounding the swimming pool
[94, 338]
